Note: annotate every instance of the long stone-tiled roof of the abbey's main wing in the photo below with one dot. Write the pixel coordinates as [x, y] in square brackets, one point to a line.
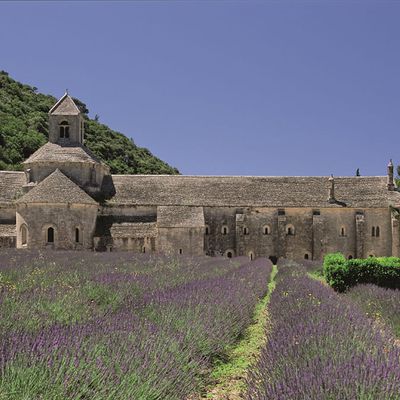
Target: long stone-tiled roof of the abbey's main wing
[242, 191]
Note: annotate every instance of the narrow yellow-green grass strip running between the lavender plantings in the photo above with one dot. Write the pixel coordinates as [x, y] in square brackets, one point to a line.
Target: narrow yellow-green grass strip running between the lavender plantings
[228, 375]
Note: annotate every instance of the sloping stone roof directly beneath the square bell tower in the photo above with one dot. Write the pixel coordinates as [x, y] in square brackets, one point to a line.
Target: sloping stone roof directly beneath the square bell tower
[54, 152]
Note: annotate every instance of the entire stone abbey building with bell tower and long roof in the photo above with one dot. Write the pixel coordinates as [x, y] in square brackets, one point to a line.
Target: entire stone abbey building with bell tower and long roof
[66, 198]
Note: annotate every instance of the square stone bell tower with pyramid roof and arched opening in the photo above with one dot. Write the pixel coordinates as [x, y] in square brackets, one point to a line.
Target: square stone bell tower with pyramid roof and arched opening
[66, 125]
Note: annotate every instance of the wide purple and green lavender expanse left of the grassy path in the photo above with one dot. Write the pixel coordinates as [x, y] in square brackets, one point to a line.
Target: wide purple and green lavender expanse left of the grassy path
[89, 326]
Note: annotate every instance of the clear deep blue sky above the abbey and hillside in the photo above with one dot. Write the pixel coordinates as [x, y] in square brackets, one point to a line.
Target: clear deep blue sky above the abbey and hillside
[224, 87]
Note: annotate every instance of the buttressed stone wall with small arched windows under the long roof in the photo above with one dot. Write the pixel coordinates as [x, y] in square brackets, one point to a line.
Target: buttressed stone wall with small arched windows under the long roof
[264, 232]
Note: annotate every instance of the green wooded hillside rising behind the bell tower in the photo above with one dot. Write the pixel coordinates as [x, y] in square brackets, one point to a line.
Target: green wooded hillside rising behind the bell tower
[24, 128]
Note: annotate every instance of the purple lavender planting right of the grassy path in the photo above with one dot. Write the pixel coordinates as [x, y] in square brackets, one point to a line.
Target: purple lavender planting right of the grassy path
[321, 345]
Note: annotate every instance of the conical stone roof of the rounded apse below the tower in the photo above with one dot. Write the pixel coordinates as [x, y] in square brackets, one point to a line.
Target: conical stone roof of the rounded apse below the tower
[57, 188]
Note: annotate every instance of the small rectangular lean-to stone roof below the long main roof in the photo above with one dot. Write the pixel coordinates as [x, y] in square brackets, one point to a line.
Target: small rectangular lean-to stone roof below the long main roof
[180, 217]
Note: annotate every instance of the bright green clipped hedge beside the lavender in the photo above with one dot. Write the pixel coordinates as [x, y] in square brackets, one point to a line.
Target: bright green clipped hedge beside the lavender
[342, 274]
